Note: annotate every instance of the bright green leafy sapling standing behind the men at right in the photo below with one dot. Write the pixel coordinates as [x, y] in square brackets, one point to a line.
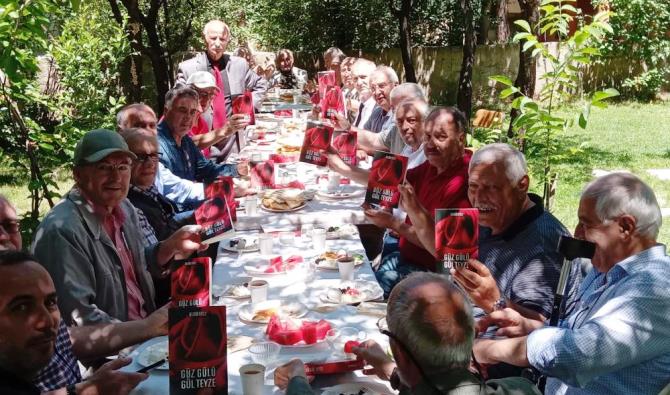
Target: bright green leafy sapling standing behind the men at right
[542, 127]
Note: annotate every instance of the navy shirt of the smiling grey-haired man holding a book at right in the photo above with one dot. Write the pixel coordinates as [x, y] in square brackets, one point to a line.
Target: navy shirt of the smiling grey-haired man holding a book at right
[524, 261]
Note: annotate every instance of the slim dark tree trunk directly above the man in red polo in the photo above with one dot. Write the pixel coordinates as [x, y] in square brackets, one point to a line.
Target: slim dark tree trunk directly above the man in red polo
[464, 99]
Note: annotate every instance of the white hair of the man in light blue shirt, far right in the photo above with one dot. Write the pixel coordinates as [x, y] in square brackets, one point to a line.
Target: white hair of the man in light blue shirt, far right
[617, 194]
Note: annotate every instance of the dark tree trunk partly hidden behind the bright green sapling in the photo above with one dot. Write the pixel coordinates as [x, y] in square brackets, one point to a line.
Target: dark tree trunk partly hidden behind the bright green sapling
[525, 78]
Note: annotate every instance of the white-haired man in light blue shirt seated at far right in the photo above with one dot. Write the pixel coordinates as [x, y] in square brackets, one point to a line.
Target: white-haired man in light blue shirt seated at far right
[617, 340]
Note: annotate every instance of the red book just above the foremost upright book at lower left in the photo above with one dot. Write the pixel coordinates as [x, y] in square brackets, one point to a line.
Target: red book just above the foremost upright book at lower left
[191, 282]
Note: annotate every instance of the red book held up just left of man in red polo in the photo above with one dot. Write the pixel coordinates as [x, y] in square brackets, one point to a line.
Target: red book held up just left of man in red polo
[387, 172]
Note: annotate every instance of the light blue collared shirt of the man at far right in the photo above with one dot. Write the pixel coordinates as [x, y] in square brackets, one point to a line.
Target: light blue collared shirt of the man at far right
[617, 341]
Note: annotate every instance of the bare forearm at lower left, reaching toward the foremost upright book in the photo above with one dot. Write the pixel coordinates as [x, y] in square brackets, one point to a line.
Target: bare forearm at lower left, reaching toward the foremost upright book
[97, 341]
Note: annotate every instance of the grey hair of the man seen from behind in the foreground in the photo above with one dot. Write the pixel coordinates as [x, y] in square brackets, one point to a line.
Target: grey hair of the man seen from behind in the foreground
[435, 345]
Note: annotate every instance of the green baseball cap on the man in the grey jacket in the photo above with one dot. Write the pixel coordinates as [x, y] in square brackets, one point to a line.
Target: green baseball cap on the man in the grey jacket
[97, 145]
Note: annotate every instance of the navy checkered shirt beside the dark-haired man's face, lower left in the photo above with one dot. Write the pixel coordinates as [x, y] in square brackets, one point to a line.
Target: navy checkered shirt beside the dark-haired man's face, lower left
[62, 370]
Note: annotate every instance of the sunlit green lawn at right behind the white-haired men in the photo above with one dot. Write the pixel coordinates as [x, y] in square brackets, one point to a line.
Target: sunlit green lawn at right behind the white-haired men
[627, 136]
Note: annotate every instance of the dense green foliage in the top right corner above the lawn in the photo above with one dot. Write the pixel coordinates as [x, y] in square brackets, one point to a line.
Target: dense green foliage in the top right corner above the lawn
[641, 34]
